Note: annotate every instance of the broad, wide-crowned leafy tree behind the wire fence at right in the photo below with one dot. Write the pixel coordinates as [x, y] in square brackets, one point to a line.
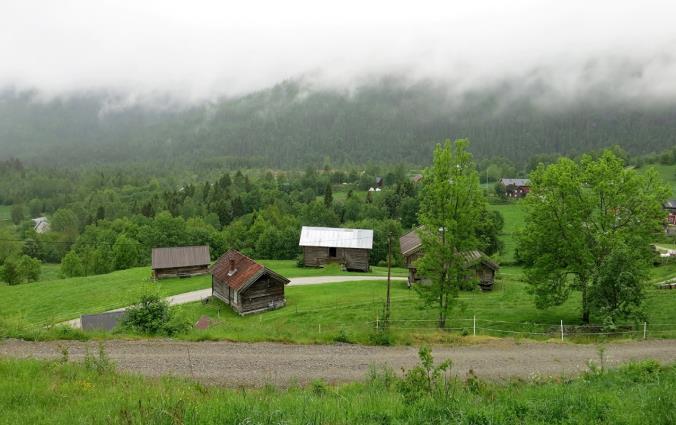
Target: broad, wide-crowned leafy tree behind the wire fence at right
[588, 228]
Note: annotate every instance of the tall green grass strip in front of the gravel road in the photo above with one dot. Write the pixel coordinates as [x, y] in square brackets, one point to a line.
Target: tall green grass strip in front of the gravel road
[59, 392]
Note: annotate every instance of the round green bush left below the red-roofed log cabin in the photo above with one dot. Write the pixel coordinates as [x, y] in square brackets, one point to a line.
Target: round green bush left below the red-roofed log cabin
[152, 316]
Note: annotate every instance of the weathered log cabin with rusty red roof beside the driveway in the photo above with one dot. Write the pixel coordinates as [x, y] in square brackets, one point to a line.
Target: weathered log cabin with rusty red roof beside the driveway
[245, 285]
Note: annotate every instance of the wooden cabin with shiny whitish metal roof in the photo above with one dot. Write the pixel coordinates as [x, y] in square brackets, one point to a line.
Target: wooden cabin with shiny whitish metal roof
[348, 247]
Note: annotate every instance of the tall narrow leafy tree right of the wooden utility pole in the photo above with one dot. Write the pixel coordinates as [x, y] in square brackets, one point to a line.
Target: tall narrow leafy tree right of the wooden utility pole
[450, 204]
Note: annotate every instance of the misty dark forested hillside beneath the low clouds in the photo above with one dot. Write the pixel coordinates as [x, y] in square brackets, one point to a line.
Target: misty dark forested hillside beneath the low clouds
[290, 126]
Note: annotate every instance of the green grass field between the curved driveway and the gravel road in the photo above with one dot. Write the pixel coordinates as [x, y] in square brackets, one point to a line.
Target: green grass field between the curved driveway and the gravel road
[348, 312]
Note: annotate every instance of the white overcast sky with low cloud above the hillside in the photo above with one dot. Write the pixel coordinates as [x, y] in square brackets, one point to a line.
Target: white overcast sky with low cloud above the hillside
[197, 50]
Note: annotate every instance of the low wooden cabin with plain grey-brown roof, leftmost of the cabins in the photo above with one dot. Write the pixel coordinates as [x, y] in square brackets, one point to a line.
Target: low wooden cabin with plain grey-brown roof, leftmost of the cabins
[182, 261]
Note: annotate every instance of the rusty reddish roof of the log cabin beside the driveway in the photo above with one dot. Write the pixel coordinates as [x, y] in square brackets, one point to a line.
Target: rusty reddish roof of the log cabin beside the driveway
[241, 272]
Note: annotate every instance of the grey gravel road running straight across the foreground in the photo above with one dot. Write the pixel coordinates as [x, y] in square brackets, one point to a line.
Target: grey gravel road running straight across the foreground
[260, 363]
